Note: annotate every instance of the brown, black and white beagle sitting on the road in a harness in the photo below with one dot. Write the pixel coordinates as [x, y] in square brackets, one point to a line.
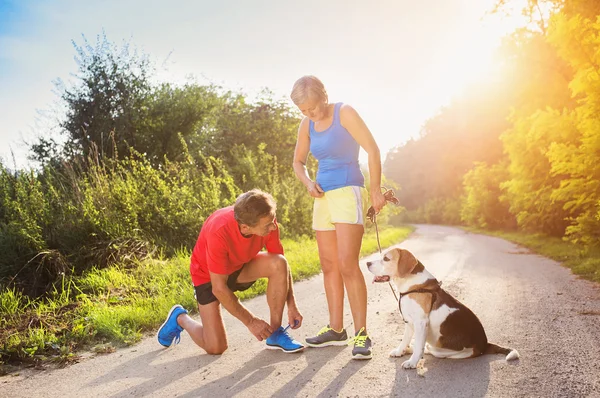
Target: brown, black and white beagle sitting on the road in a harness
[433, 316]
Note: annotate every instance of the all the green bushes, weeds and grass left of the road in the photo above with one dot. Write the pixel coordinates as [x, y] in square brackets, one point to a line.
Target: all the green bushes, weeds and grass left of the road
[95, 240]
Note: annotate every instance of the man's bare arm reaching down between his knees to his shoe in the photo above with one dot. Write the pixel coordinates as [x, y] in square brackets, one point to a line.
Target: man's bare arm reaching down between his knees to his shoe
[259, 328]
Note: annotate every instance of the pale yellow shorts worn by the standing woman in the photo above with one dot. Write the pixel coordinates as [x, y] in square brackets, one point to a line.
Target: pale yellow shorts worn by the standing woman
[343, 205]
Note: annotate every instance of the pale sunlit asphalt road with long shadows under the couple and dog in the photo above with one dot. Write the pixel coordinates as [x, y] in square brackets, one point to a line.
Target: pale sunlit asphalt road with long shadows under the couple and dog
[524, 301]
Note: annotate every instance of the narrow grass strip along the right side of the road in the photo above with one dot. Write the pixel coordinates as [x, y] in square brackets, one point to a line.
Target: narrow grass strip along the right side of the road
[582, 261]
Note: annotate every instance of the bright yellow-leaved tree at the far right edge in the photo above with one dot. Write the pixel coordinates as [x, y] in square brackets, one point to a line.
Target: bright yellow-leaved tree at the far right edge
[577, 40]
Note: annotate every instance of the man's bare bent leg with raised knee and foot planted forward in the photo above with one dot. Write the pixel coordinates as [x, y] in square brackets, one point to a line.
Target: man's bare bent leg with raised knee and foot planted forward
[274, 267]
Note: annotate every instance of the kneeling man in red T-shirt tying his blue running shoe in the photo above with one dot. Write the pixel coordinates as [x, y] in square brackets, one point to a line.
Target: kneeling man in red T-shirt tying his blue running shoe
[228, 258]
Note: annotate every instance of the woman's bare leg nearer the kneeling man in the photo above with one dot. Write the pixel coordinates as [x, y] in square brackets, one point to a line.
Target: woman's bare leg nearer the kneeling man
[334, 285]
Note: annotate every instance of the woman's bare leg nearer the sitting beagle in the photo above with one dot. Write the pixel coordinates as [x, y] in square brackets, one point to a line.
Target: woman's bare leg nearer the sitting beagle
[349, 240]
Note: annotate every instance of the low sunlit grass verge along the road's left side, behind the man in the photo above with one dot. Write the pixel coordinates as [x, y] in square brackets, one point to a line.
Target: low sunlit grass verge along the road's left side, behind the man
[116, 306]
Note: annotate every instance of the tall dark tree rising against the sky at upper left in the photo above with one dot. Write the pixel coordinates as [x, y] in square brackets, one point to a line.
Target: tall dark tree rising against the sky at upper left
[108, 99]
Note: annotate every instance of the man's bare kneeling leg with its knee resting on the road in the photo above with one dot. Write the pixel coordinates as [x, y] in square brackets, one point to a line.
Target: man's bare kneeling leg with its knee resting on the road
[210, 334]
